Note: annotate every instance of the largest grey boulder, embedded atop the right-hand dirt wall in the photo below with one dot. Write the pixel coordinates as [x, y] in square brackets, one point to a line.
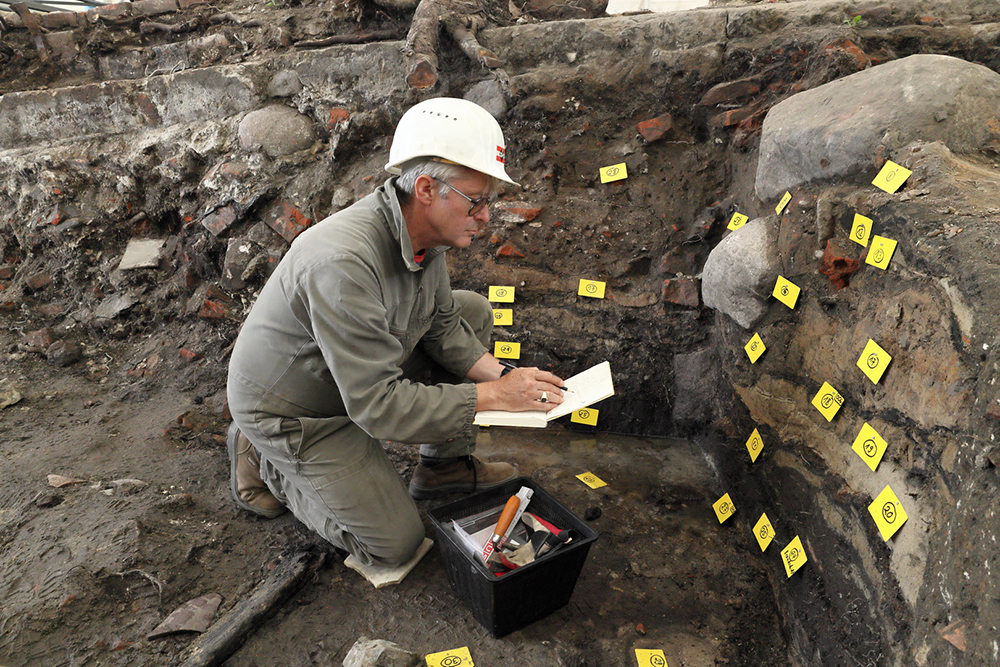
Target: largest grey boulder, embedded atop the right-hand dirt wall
[839, 129]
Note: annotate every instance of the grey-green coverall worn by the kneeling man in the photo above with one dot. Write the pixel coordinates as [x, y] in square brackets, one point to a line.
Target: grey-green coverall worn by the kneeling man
[321, 372]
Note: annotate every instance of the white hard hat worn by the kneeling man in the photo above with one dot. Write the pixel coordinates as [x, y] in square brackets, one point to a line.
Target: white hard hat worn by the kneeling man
[452, 130]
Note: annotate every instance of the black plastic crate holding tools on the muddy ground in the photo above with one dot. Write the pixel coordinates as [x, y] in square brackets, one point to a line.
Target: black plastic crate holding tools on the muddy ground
[517, 598]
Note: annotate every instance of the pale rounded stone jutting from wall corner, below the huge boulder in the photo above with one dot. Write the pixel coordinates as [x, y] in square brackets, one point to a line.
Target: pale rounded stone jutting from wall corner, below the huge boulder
[740, 271]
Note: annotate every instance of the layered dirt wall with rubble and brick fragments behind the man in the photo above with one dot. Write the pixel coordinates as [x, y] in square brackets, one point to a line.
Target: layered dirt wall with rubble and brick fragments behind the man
[116, 153]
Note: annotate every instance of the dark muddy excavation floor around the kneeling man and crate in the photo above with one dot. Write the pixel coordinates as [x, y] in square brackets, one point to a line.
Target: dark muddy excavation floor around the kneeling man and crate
[91, 568]
